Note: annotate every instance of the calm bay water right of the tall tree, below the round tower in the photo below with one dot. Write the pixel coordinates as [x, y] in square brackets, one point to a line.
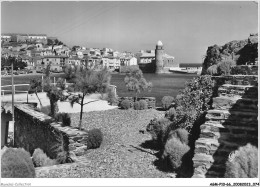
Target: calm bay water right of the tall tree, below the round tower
[164, 84]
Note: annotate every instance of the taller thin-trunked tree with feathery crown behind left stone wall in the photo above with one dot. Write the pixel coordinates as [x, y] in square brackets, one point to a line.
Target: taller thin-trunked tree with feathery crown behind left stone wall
[89, 82]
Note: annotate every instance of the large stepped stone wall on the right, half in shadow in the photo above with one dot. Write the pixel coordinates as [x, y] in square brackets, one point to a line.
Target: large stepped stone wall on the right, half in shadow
[231, 123]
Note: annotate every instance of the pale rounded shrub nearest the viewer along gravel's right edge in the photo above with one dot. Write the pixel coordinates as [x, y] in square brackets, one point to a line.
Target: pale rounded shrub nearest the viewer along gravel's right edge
[174, 151]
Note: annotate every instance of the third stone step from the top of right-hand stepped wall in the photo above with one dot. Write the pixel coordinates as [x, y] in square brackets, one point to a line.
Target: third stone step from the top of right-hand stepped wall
[243, 104]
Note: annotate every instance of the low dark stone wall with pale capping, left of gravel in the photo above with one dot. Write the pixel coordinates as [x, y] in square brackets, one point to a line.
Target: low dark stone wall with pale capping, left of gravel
[34, 129]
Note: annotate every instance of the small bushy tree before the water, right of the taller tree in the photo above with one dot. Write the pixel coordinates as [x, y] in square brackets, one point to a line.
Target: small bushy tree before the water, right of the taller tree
[135, 82]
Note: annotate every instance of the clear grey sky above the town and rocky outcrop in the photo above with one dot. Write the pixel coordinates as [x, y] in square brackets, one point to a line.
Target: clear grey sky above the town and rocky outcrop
[186, 29]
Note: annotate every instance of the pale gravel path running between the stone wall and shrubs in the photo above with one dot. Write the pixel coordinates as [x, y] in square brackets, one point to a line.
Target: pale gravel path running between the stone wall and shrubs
[119, 155]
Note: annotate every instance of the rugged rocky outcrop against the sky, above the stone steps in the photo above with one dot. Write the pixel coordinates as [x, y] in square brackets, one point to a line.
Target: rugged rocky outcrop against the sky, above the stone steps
[240, 51]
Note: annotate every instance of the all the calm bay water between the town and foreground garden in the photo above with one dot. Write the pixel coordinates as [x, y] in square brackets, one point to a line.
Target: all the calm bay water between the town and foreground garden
[164, 84]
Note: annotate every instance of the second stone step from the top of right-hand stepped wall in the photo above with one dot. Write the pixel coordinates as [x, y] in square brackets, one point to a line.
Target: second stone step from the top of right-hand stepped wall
[245, 91]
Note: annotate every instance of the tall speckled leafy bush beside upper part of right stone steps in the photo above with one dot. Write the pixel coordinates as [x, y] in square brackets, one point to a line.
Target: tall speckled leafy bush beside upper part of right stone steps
[193, 100]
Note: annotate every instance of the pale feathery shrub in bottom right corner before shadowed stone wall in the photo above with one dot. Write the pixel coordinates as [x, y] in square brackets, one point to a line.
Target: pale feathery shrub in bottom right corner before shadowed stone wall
[243, 163]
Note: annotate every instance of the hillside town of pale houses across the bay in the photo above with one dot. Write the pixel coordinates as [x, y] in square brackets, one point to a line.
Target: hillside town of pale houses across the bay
[39, 50]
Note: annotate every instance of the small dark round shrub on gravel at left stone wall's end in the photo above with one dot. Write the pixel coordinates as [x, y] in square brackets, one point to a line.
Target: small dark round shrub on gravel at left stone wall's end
[95, 138]
